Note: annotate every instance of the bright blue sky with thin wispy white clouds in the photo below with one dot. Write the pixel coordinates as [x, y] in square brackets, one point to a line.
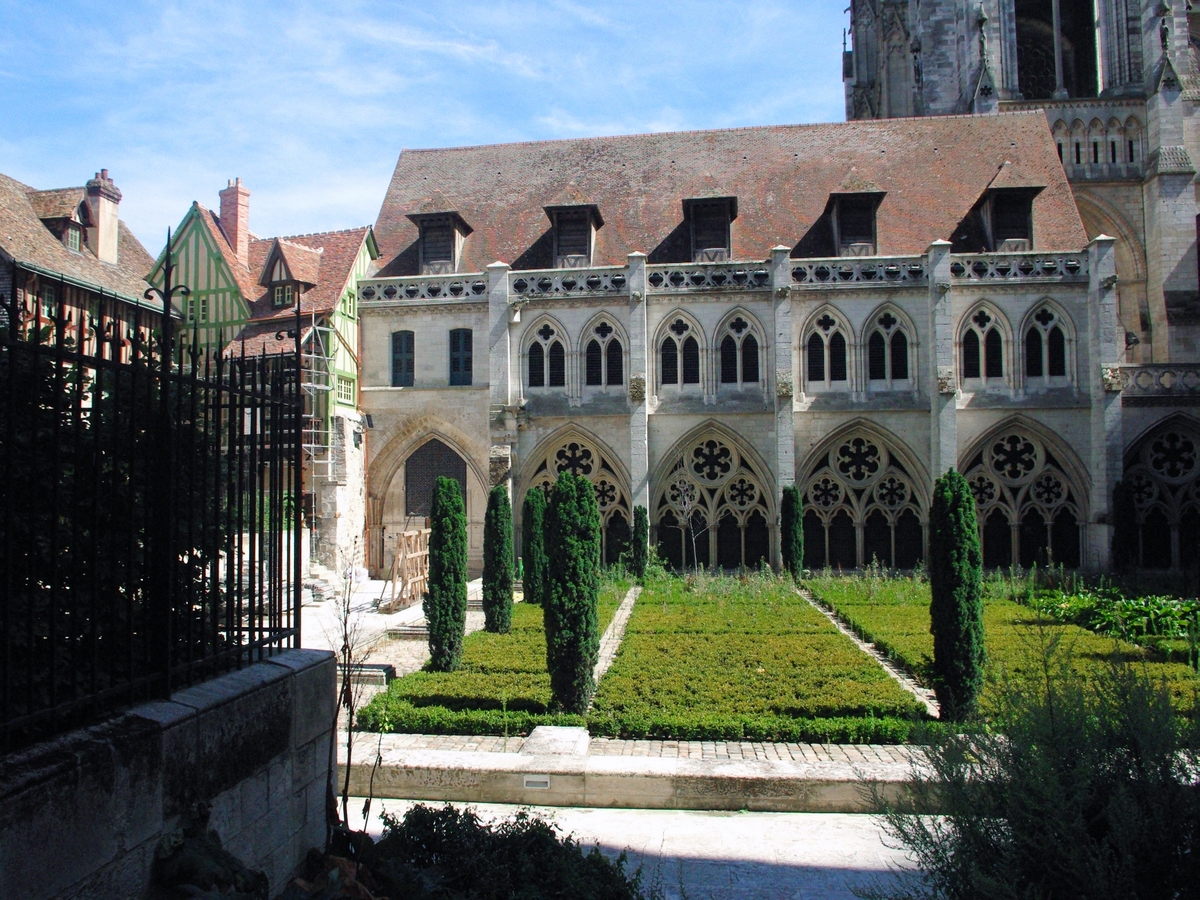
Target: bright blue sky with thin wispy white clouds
[310, 104]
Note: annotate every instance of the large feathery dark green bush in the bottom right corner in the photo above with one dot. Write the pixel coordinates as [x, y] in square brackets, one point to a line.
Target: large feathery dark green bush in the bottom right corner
[1084, 789]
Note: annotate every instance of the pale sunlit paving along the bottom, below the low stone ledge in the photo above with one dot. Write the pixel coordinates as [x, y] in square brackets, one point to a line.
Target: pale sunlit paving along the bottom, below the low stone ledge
[721, 856]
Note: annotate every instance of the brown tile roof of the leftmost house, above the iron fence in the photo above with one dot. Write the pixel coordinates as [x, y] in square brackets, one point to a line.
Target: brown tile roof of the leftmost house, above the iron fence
[26, 239]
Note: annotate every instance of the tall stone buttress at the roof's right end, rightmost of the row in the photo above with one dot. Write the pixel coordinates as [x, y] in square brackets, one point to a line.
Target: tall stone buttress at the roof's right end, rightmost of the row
[1103, 385]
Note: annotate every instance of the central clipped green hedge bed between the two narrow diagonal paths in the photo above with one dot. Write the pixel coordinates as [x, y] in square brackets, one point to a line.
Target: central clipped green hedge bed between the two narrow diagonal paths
[727, 658]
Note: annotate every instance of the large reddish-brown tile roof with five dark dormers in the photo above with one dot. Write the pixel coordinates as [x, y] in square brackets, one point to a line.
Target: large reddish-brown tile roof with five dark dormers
[933, 171]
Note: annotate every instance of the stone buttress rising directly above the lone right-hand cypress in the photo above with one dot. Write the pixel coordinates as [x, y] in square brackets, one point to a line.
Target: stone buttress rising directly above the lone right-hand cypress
[944, 431]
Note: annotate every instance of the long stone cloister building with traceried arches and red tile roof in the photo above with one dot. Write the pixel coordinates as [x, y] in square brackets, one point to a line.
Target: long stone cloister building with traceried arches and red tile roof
[697, 321]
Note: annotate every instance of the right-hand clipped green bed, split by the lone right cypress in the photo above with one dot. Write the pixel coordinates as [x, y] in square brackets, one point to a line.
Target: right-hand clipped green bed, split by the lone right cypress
[895, 615]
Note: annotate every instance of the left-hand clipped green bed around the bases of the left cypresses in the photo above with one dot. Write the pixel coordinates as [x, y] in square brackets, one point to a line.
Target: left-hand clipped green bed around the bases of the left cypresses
[503, 686]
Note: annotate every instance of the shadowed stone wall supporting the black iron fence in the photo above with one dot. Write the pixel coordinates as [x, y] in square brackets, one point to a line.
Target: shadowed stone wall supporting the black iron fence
[81, 817]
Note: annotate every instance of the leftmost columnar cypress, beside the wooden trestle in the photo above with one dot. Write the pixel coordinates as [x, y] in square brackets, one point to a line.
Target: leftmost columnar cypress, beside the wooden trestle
[446, 602]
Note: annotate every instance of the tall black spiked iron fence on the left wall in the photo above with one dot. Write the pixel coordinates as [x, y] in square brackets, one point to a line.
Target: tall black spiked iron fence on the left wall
[149, 517]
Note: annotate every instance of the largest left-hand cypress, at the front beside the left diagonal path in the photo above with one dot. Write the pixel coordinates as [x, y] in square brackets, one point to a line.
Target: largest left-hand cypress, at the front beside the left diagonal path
[573, 556]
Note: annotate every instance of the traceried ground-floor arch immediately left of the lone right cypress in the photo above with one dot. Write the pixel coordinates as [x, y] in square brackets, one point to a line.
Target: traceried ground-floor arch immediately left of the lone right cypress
[866, 497]
